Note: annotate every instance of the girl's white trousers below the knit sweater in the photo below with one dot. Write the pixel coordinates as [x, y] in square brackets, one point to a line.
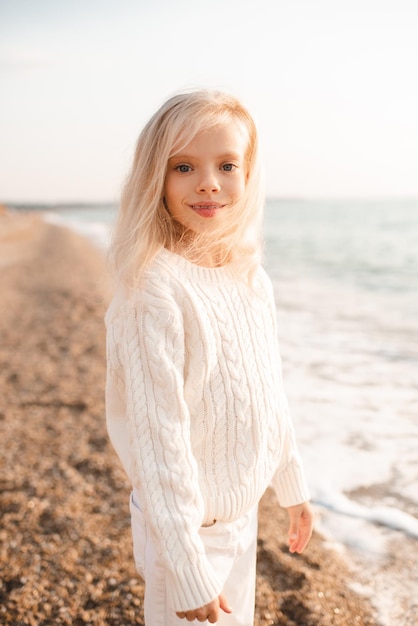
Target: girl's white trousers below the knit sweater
[231, 548]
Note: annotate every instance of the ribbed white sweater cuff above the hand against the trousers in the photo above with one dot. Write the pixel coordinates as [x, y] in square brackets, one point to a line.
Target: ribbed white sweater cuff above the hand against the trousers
[192, 585]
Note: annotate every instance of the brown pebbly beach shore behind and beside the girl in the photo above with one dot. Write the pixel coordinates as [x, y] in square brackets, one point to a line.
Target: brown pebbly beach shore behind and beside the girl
[65, 554]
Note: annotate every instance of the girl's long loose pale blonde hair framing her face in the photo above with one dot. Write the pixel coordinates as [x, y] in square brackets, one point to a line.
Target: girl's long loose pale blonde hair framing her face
[144, 225]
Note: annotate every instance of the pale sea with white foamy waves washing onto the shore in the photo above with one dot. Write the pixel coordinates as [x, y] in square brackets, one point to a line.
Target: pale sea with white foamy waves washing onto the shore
[345, 274]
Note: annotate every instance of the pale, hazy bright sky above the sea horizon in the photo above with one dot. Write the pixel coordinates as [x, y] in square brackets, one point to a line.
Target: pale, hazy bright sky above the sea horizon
[332, 85]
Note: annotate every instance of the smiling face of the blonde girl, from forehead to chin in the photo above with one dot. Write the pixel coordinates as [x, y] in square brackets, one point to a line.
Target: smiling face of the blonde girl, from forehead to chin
[207, 177]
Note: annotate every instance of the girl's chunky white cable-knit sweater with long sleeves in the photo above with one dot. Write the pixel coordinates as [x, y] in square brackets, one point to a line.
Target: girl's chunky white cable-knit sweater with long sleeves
[196, 409]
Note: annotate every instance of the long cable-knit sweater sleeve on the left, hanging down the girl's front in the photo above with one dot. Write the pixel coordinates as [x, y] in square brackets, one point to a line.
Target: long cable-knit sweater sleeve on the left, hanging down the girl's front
[163, 468]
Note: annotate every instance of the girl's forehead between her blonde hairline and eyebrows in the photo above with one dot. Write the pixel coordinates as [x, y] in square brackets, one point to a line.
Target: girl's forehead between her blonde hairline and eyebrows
[231, 138]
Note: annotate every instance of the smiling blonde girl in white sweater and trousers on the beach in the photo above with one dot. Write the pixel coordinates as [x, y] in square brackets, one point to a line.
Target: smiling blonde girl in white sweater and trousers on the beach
[195, 403]
